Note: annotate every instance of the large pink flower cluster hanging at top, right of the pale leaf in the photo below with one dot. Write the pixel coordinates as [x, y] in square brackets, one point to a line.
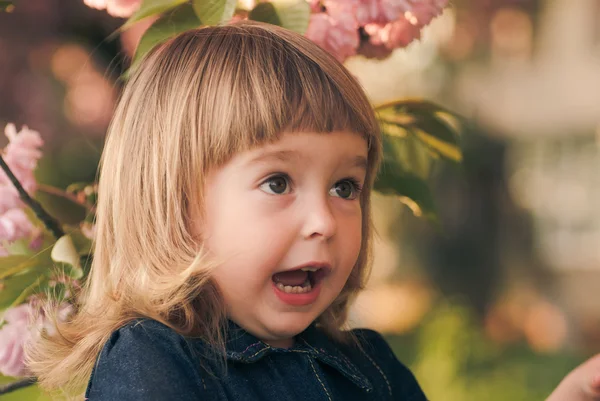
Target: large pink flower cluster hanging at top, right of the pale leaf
[372, 28]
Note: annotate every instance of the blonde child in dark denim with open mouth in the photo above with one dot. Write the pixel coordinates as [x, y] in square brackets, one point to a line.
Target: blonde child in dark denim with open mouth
[233, 230]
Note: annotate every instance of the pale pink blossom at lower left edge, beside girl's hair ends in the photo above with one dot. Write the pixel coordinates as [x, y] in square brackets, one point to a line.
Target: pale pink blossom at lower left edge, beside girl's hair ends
[13, 336]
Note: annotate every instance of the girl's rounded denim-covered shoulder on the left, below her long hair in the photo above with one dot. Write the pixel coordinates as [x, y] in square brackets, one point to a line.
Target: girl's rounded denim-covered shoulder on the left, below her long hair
[145, 358]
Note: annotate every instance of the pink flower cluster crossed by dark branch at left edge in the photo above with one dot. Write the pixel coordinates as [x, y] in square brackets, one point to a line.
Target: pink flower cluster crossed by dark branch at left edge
[21, 155]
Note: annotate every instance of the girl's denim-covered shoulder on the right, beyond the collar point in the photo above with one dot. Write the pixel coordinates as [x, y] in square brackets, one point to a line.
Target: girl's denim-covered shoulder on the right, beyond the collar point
[378, 357]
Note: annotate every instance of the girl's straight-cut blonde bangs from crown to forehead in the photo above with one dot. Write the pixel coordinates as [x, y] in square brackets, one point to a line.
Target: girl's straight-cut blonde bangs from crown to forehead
[261, 88]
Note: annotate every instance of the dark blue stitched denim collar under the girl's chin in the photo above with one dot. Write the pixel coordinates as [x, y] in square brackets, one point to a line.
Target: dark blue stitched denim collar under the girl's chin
[242, 346]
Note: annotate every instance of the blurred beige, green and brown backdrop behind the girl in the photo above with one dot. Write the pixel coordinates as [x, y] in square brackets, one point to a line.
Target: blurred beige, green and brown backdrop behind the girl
[496, 301]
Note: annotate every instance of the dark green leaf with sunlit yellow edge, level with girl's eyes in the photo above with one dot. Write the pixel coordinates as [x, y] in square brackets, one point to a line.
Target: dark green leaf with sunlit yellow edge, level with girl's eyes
[412, 190]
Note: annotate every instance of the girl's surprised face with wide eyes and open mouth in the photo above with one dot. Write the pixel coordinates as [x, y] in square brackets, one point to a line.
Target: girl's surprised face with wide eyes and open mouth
[276, 208]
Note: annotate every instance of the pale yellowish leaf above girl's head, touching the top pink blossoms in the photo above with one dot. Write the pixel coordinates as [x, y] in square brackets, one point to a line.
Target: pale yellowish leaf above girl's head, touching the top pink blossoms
[290, 14]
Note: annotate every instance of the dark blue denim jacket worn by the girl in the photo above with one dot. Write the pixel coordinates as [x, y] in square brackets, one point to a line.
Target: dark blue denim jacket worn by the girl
[146, 360]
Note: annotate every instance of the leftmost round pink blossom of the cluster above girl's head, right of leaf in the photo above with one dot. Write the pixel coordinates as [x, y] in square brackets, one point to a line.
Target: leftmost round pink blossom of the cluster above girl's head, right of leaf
[336, 31]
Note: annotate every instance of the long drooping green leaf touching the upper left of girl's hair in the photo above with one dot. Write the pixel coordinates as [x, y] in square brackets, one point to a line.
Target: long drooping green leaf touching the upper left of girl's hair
[175, 21]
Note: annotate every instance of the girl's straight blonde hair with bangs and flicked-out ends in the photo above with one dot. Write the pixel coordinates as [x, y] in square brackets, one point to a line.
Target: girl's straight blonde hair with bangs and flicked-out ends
[195, 101]
